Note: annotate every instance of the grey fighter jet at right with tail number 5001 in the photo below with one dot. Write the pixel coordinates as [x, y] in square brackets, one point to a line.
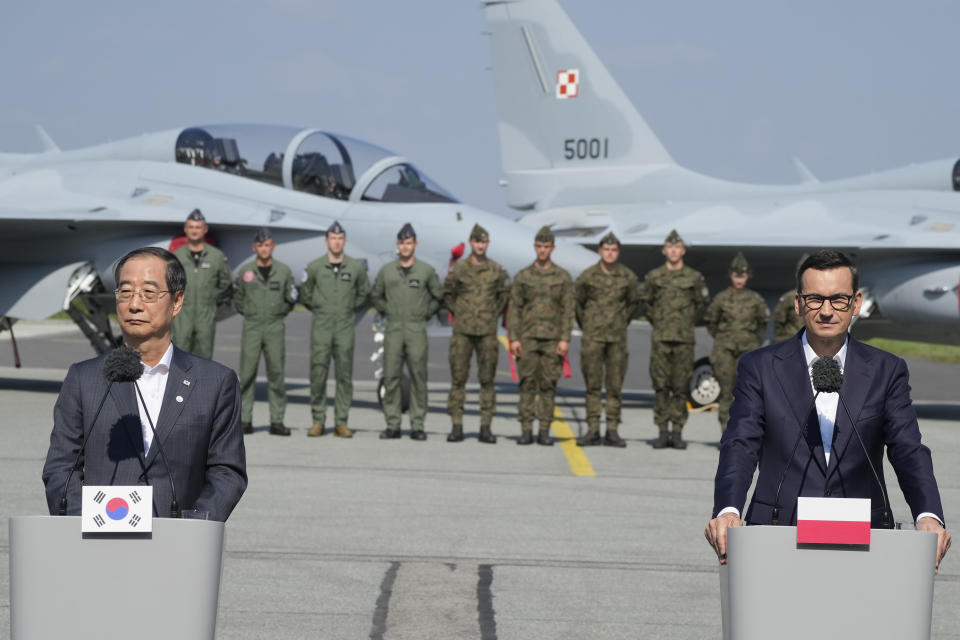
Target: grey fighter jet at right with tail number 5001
[579, 157]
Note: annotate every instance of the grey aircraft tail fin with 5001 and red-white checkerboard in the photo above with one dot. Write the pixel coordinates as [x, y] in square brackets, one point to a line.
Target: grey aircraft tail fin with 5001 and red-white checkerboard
[558, 106]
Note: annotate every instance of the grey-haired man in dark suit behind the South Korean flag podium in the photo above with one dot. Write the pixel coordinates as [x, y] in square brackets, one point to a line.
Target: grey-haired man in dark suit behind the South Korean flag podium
[192, 402]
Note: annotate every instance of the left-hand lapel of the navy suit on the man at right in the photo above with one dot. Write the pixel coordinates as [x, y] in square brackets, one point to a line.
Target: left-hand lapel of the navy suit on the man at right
[790, 368]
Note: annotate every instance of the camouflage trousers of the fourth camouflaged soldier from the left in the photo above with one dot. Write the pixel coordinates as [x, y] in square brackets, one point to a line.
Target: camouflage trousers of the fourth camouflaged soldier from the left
[671, 367]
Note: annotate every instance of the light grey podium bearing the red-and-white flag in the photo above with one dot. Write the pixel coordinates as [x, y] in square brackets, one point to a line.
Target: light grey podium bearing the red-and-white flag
[770, 588]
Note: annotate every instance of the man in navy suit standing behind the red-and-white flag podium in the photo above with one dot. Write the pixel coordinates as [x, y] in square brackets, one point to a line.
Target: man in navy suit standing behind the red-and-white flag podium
[774, 390]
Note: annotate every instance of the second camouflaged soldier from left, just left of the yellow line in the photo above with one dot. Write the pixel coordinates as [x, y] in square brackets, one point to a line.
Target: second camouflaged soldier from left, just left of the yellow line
[540, 318]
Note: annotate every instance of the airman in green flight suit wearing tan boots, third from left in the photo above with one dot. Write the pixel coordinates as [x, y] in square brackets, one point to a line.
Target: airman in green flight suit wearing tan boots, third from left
[335, 288]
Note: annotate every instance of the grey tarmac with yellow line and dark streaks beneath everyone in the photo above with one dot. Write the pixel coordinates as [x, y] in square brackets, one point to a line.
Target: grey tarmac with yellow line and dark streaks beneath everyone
[363, 538]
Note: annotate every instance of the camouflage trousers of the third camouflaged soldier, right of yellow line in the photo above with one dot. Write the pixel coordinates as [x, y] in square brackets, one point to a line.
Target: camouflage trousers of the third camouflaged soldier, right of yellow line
[595, 357]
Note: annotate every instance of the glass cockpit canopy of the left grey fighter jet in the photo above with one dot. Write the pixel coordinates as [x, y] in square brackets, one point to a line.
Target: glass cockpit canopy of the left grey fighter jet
[308, 160]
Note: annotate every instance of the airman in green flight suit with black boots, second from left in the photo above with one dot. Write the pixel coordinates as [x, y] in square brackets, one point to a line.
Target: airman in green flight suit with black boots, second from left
[264, 295]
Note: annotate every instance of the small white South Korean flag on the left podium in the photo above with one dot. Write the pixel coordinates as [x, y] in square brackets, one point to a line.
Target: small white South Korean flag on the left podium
[117, 509]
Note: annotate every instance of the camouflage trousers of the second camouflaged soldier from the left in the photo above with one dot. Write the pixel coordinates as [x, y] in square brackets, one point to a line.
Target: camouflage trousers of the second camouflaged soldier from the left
[538, 367]
